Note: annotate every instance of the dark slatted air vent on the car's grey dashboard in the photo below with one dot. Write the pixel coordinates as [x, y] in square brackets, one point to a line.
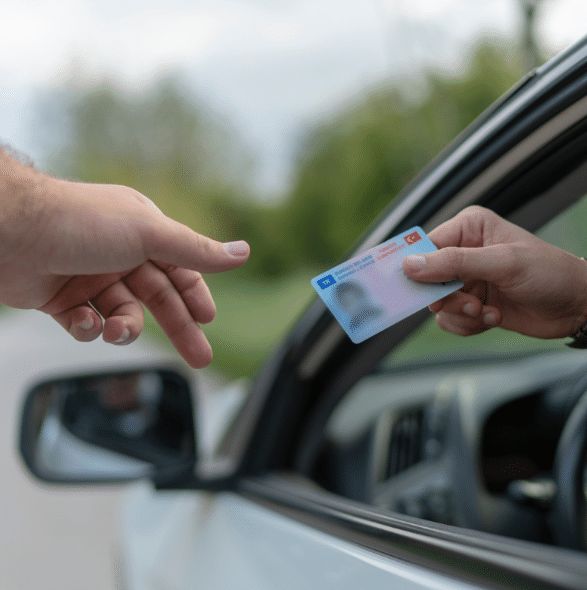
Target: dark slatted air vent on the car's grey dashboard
[406, 443]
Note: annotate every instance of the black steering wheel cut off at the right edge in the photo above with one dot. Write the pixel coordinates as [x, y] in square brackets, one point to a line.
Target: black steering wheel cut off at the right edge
[569, 508]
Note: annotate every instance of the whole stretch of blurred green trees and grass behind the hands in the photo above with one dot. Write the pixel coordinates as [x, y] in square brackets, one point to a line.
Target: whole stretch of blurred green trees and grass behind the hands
[193, 166]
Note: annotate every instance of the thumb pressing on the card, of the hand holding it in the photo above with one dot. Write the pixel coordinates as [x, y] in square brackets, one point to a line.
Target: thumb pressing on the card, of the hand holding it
[466, 264]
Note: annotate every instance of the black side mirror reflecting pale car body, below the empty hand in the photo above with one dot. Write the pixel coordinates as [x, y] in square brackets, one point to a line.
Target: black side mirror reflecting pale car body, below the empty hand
[110, 427]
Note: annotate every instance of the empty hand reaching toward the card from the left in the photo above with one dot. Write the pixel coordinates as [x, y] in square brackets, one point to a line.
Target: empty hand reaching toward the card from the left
[90, 255]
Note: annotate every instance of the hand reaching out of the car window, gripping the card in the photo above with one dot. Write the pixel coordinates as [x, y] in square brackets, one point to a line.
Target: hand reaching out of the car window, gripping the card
[511, 278]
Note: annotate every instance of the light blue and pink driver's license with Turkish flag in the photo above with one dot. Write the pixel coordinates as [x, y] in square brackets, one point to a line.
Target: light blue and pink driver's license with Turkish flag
[371, 292]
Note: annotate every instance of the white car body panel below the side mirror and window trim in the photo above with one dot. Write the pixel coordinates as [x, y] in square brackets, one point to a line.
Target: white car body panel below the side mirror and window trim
[179, 541]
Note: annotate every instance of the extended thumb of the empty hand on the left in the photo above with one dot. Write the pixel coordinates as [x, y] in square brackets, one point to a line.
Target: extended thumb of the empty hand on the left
[173, 243]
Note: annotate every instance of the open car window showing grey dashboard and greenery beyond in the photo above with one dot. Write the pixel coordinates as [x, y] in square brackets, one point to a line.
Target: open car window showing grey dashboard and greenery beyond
[445, 427]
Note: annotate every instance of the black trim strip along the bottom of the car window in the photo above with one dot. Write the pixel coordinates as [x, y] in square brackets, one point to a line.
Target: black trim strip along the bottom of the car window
[485, 560]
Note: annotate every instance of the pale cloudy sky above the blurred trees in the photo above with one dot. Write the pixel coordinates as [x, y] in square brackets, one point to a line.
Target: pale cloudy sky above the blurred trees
[270, 67]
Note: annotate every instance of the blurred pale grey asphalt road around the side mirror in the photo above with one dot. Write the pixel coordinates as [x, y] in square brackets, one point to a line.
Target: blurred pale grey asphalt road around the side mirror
[53, 537]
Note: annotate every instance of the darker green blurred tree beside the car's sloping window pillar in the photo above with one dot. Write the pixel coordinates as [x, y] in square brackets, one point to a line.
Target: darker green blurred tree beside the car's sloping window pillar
[355, 165]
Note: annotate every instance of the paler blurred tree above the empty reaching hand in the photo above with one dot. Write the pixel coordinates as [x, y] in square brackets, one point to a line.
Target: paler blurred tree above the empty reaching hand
[161, 142]
